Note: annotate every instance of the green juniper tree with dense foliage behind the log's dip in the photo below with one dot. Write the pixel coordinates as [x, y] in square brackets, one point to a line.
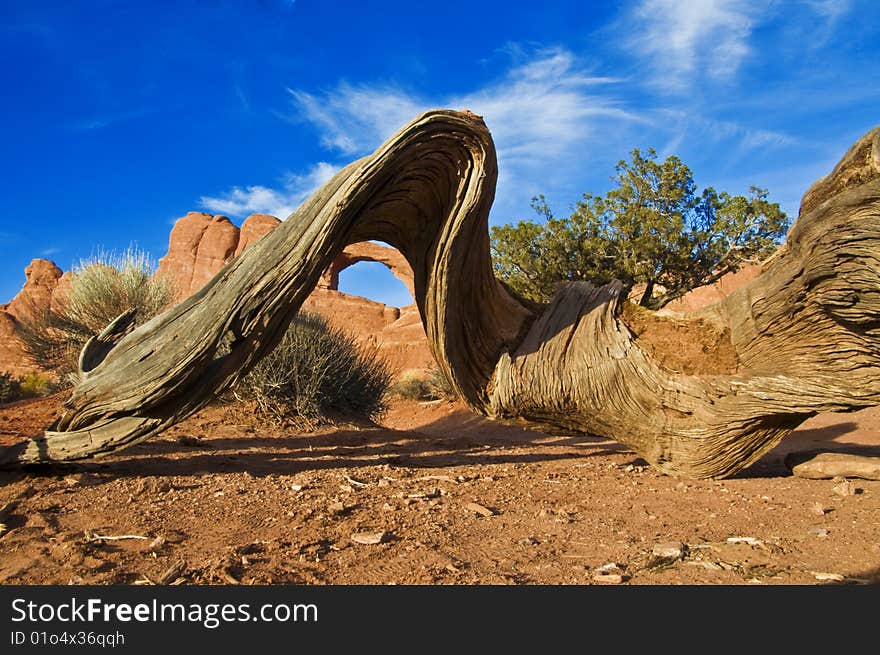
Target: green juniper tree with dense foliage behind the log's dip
[652, 229]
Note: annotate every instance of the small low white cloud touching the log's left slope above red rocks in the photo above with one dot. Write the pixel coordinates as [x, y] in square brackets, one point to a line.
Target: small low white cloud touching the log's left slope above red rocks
[281, 202]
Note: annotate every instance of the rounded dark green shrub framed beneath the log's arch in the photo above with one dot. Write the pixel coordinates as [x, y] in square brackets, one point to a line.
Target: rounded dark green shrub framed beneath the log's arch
[315, 372]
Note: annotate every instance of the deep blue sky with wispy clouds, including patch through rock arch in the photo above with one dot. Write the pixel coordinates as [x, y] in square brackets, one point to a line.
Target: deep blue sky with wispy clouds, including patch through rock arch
[120, 117]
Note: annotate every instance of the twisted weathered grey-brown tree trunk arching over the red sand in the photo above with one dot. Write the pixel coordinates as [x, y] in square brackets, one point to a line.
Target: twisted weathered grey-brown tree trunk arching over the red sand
[802, 338]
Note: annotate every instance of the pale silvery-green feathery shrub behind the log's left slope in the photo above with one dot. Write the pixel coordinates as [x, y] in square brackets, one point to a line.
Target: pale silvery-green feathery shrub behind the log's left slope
[101, 288]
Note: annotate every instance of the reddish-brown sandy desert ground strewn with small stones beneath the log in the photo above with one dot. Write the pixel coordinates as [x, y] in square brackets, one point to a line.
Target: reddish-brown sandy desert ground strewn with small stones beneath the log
[433, 495]
